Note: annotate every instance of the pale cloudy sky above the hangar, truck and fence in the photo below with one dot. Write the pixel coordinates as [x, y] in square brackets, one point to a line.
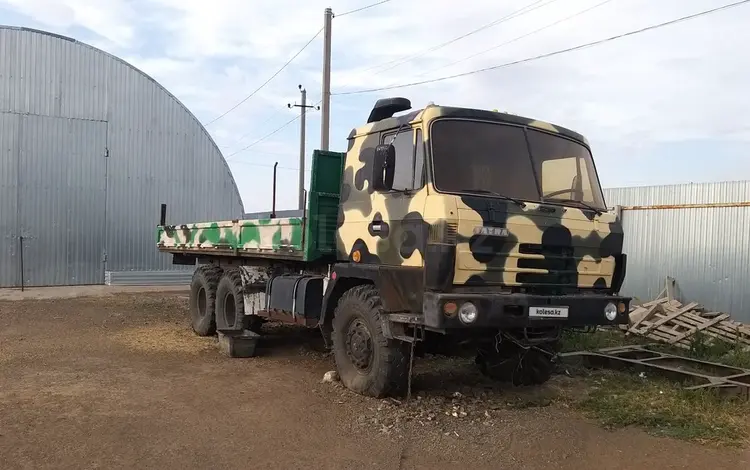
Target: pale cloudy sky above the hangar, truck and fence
[661, 107]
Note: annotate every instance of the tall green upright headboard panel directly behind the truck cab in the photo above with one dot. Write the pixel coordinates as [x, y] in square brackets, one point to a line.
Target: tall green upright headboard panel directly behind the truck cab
[323, 204]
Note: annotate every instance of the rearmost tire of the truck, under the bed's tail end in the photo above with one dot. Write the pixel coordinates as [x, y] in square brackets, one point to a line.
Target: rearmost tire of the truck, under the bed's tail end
[203, 299]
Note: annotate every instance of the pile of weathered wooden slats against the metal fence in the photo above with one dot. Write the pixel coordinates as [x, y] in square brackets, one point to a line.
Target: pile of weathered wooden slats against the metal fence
[667, 320]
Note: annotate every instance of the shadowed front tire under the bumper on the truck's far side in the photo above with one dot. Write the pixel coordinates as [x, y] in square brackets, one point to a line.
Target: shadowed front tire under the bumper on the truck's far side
[519, 366]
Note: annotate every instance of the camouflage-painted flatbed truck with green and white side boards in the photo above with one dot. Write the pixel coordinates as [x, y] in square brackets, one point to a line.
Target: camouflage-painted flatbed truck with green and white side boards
[439, 227]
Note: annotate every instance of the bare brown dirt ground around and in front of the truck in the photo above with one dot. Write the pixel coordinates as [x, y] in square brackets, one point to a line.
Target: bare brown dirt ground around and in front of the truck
[120, 382]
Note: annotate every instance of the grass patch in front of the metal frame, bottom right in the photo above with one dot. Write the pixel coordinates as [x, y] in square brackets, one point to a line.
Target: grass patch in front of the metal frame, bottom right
[664, 408]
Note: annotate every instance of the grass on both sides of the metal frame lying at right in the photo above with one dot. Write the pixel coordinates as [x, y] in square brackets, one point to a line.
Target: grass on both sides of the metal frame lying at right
[660, 406]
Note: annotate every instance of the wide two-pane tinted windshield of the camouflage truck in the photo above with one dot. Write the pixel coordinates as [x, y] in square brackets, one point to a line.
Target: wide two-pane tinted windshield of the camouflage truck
[482, 157]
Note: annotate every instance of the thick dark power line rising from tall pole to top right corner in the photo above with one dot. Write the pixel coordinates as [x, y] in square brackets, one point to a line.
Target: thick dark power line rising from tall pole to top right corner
[549, 54]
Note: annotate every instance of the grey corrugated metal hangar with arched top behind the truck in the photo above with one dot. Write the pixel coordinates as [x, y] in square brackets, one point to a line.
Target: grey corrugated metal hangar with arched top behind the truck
[90, 147]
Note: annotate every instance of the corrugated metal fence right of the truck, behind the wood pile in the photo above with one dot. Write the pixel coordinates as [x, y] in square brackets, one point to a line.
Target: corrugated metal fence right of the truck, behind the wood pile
[698, 234]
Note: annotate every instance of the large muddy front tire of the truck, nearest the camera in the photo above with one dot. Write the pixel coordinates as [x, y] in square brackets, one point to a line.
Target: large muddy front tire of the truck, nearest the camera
[381, 366]
